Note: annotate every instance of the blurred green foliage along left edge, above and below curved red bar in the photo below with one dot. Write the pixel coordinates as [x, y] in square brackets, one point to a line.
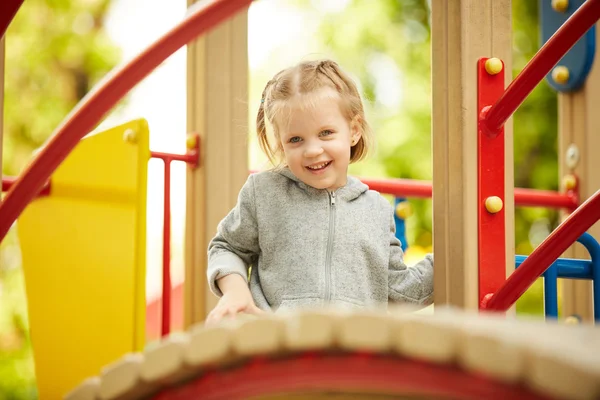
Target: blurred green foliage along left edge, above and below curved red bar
[56, 50]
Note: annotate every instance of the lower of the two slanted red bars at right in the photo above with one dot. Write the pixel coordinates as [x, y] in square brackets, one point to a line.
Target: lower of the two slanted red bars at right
[546, 253]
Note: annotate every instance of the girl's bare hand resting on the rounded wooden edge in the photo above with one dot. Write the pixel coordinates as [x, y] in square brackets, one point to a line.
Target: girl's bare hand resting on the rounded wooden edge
[236, 299]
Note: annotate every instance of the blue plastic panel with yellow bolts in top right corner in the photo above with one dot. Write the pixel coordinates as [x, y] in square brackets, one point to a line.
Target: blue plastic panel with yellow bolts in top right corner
[581, 56]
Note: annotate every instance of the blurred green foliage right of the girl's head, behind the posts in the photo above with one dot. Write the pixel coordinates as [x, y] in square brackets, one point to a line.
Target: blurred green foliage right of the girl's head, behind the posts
[386, 46]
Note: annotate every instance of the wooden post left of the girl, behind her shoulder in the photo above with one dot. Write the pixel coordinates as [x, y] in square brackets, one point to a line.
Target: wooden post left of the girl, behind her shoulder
[217, 94]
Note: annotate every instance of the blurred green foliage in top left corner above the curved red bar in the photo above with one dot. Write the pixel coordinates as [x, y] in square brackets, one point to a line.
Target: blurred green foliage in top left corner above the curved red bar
[56, 50]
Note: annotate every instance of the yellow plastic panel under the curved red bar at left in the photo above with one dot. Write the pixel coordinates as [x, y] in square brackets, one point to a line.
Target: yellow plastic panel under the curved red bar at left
[84, 259]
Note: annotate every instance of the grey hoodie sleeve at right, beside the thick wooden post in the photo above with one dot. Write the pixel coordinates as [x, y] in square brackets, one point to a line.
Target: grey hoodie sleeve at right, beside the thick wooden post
[408, 284]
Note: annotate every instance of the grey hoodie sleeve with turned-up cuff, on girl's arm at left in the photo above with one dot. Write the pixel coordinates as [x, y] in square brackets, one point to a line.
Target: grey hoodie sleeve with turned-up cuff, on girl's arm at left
[235, 246]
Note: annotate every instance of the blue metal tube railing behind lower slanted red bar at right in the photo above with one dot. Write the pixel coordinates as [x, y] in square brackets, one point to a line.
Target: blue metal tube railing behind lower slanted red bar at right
[571, 269]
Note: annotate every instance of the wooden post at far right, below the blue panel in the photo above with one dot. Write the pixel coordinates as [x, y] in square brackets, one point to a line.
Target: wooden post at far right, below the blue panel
[578, 122]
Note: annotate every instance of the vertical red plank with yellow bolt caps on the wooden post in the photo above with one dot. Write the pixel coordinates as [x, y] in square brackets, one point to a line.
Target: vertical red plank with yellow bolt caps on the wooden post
[490, 164]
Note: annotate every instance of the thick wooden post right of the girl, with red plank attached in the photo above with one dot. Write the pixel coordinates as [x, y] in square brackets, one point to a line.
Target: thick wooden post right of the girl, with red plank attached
[462, 32]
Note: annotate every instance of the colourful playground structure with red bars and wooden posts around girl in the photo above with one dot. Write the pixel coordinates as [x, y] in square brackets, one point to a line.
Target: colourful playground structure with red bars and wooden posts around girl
[471, 193]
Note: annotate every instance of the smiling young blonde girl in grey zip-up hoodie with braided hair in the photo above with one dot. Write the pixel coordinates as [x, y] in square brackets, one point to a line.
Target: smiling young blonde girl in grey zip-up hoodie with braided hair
[311, 234]
